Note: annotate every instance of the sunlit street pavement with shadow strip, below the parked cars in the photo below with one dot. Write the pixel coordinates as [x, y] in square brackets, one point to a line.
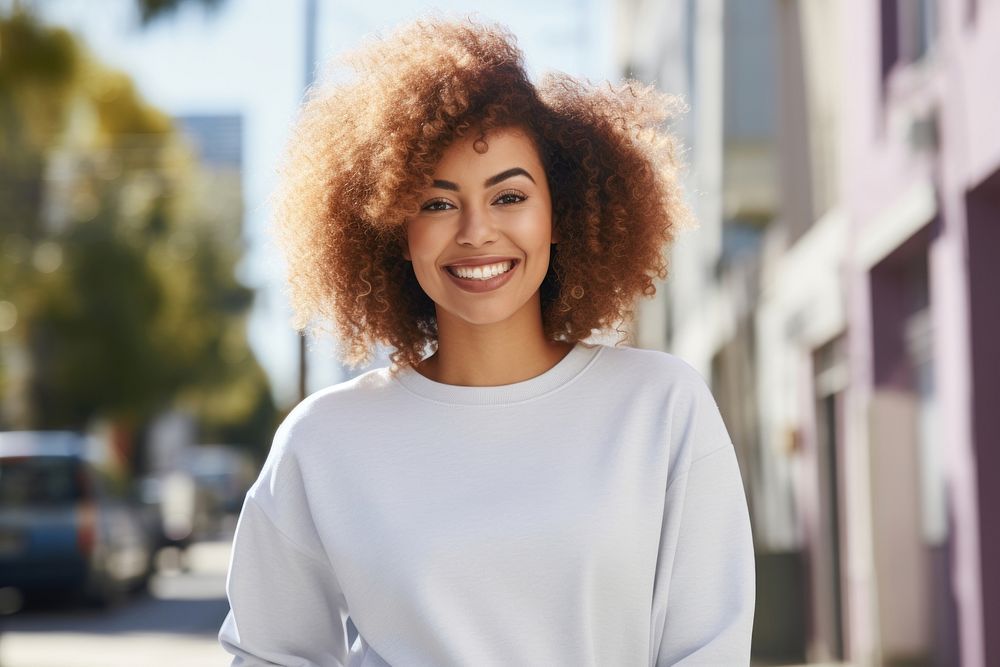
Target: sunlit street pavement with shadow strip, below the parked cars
[176, 624]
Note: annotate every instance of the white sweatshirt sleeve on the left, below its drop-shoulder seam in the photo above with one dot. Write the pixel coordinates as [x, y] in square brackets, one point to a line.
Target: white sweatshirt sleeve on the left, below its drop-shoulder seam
[286, 607]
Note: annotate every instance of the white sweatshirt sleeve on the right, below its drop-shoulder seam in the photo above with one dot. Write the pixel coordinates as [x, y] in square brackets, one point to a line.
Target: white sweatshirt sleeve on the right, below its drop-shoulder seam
[706, 608]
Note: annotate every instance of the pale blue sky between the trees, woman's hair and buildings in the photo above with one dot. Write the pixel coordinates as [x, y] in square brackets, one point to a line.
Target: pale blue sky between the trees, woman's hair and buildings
[248, 58]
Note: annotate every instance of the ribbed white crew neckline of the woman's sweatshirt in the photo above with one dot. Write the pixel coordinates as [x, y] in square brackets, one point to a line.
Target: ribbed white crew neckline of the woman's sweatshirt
[568, 368]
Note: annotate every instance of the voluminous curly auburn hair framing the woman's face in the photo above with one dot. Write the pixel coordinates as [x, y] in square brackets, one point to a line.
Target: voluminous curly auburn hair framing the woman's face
[364, 148]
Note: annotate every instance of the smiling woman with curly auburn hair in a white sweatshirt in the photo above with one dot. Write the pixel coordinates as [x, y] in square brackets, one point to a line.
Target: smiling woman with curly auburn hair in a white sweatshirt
[517, 496]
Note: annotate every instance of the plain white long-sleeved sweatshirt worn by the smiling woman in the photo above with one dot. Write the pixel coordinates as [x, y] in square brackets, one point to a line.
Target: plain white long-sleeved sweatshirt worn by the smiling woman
[592, 515]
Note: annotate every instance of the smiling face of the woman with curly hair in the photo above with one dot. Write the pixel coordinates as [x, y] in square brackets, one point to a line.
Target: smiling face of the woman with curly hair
[480, 243]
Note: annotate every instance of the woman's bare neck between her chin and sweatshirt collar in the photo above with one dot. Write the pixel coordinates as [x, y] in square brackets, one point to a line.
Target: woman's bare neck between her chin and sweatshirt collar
[489, 355]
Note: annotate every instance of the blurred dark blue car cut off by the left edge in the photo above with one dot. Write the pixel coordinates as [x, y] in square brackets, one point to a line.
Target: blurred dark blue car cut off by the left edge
[67, 526]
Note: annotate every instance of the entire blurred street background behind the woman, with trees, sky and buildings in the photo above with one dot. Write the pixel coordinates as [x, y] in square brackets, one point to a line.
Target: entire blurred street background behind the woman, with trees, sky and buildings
[840, 295]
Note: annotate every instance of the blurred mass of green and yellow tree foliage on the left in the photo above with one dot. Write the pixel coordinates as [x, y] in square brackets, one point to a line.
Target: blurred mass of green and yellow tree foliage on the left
[122, 279]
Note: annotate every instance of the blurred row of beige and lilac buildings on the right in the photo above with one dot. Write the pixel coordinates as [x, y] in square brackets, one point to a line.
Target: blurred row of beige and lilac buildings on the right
[845, 170]
